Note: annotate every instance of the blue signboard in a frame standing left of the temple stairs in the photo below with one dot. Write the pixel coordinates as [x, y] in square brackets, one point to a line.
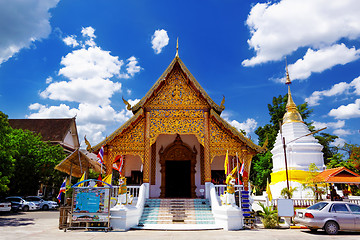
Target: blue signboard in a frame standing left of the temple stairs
[91, 204]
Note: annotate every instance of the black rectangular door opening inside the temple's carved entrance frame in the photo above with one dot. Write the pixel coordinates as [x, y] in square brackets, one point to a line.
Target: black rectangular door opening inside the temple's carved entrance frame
[178, 179]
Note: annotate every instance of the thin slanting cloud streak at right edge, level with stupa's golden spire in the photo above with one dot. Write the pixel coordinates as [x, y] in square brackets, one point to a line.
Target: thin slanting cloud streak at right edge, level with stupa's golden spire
[336, 90]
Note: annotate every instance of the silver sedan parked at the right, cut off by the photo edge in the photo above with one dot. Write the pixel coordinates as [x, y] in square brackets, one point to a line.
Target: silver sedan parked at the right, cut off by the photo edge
[330, 216]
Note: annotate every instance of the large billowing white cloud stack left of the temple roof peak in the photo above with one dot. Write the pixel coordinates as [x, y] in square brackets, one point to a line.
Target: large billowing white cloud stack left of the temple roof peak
[91, 80]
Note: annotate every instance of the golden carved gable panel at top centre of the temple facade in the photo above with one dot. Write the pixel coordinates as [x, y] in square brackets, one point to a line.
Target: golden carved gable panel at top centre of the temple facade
[177, 108]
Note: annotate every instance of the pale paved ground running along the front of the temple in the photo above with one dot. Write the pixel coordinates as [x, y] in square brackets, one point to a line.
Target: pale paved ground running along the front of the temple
[44, 225]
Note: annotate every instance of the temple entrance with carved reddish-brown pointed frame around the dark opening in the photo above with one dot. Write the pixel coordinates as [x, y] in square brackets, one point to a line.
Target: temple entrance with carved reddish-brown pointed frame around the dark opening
[178, 162]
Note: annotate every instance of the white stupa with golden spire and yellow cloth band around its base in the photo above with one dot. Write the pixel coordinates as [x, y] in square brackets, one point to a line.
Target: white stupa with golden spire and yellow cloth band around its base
[301, 150]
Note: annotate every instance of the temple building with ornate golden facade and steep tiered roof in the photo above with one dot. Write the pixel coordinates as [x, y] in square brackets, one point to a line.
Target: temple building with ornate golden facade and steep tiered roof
[176, 139]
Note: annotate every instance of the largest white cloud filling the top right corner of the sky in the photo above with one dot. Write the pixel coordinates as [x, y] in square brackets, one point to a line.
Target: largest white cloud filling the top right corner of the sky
[278, 29]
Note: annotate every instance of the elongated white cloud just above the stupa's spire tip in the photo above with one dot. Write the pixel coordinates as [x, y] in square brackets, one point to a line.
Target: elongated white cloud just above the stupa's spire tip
[325, 58]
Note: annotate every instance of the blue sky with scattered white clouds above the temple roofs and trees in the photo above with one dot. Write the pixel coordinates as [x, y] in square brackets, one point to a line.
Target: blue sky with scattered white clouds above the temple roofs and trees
[66, 58]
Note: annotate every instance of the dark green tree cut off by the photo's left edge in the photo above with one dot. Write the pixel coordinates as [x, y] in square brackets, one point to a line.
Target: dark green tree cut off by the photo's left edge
[6, 152]
